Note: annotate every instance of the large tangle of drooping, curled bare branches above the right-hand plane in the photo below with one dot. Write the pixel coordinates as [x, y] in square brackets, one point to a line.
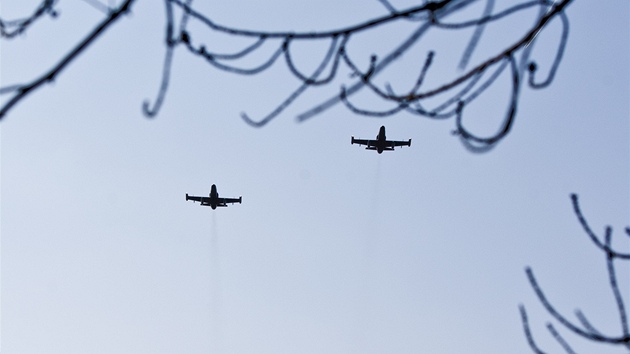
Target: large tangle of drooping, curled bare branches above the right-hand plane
[458, 93]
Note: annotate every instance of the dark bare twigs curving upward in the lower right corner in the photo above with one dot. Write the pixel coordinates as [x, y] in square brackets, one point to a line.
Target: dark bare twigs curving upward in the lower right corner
[584, 328]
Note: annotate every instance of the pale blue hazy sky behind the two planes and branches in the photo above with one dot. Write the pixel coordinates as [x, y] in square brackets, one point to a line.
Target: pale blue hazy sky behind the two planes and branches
[335, 249]
